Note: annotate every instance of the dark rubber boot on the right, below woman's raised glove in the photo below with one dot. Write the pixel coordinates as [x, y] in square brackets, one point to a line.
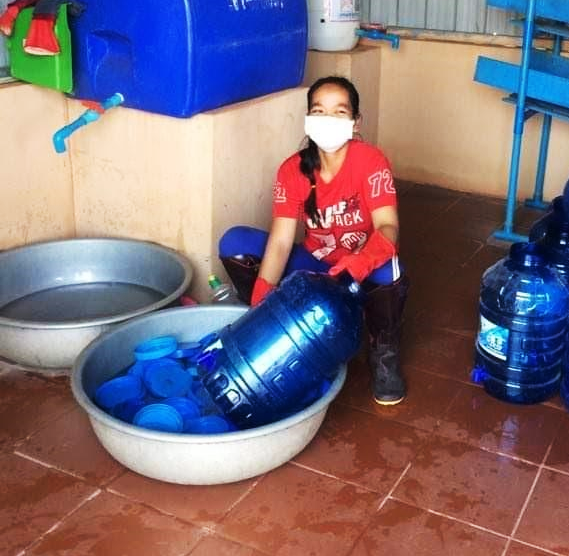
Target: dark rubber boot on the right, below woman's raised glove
[384, 314]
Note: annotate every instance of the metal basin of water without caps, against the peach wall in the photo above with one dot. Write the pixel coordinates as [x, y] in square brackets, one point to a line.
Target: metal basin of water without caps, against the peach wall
[56, 297]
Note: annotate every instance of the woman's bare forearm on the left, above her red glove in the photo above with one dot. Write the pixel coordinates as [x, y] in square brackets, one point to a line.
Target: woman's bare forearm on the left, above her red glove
[279, 246]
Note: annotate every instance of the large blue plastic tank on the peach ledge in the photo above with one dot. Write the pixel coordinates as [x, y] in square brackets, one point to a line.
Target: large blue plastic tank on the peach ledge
[182, 57]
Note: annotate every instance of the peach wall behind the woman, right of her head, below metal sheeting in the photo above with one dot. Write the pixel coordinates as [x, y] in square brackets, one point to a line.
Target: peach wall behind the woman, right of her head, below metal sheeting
[439, 126]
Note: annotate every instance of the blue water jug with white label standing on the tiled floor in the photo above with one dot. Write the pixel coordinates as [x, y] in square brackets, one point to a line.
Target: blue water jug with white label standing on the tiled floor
[523, 322]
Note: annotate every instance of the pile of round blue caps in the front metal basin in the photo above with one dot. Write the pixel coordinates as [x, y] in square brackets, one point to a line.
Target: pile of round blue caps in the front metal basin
[162, 390]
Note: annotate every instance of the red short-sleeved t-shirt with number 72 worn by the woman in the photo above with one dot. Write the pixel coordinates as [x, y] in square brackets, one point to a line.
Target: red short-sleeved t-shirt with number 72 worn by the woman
[363, 184]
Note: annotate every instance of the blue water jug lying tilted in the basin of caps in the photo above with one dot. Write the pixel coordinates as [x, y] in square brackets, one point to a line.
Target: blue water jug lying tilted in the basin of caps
[275, 357]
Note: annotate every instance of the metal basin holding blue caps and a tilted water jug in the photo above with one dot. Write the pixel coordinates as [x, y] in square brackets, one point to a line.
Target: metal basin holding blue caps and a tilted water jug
[187, 458]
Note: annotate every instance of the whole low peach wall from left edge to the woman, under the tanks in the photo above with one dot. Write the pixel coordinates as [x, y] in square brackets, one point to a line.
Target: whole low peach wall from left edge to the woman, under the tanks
[177, 182]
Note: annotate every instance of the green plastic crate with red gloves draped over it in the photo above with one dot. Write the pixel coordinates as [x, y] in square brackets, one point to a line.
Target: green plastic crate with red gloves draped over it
[54, 72]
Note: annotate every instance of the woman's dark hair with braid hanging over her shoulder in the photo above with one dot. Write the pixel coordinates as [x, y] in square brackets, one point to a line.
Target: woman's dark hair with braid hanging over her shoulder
[309, 157]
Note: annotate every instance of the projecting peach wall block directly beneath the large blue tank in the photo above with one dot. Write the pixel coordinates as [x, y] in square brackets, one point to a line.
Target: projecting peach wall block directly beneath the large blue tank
[183, 182]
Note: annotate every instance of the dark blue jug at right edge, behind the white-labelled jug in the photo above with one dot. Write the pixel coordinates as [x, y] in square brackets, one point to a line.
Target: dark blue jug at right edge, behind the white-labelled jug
[552, 233]
